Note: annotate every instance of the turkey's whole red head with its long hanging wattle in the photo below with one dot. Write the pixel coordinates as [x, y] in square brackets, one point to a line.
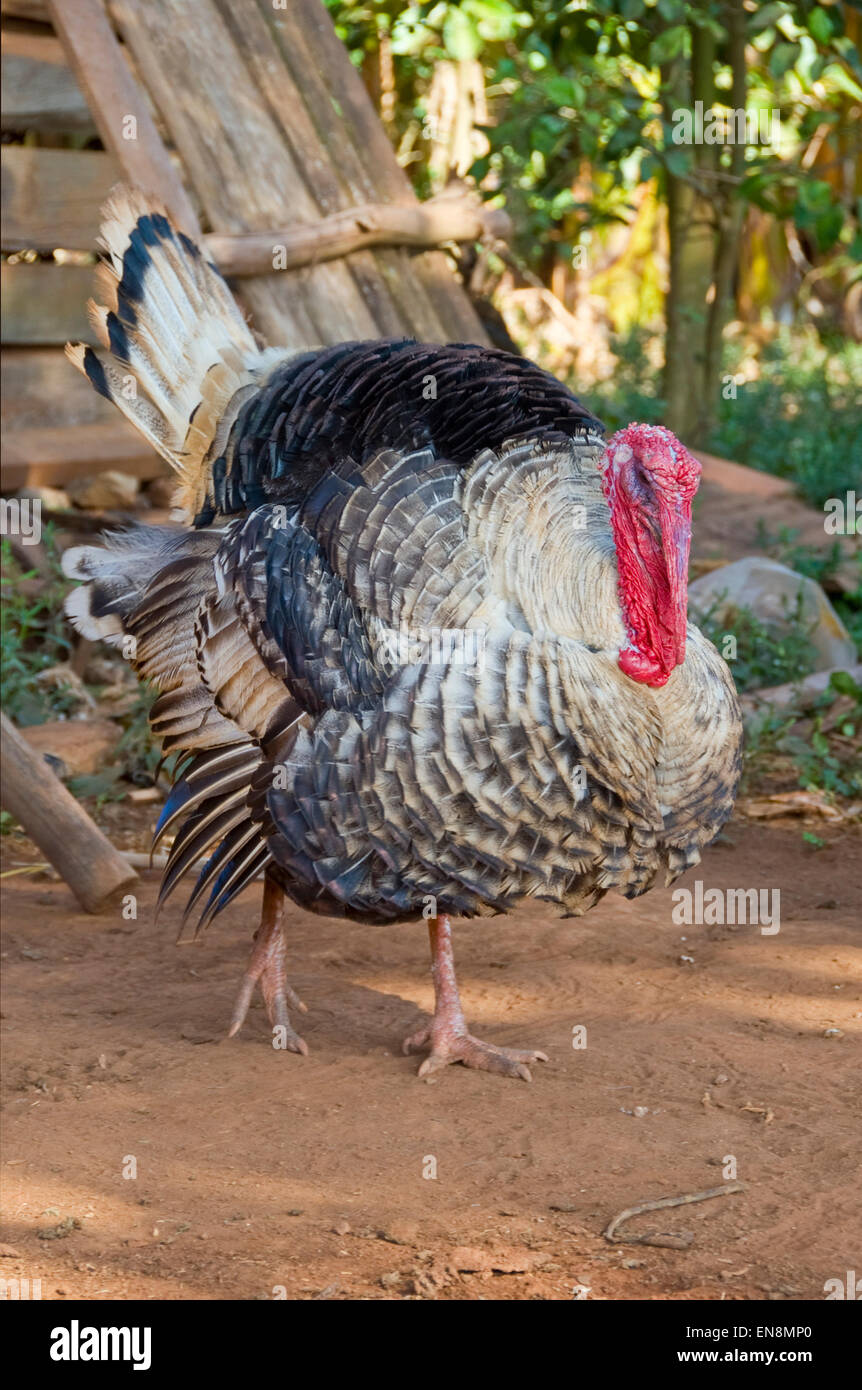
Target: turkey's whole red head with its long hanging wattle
[650, 482]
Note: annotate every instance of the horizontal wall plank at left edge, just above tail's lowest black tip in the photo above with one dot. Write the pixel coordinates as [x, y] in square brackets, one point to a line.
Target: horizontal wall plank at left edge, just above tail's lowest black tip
[45, 304]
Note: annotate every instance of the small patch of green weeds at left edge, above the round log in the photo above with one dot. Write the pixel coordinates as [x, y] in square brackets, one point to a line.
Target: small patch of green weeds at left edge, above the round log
[33, 639]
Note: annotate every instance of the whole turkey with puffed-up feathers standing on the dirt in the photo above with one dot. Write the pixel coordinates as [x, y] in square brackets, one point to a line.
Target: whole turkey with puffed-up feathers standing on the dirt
[422, 643]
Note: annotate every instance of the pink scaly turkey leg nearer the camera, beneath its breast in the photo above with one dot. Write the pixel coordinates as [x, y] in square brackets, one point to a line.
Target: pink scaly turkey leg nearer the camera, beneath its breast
[447, 1035]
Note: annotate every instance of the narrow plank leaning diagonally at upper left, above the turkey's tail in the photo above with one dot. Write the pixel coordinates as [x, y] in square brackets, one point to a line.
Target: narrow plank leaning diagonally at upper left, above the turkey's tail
[120, 106]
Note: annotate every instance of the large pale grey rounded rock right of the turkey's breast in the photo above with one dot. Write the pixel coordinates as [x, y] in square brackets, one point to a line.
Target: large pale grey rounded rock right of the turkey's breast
[771, 591]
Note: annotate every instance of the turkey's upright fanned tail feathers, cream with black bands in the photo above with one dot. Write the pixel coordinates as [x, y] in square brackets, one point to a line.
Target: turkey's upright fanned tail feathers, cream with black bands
[179, 350]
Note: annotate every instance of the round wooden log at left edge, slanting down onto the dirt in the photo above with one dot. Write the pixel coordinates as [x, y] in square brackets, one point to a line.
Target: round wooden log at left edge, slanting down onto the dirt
[97, 874]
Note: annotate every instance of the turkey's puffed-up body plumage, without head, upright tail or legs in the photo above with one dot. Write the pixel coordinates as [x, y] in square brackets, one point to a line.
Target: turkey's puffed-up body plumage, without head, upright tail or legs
[393, 655]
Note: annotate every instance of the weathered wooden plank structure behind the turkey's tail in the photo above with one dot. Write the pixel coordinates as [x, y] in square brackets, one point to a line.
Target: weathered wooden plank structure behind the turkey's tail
[251, 124]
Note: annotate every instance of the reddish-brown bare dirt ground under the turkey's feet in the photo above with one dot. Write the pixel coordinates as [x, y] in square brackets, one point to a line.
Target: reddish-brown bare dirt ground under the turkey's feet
[343, 1175]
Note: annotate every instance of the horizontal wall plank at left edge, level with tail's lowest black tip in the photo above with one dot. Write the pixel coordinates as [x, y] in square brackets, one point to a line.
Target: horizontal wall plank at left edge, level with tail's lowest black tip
[42, 389]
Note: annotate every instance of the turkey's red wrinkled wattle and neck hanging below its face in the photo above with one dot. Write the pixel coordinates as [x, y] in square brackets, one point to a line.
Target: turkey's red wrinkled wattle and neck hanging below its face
[654, 589]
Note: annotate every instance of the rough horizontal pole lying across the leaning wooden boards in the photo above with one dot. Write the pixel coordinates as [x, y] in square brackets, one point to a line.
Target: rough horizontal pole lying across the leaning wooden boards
[421, 226]
